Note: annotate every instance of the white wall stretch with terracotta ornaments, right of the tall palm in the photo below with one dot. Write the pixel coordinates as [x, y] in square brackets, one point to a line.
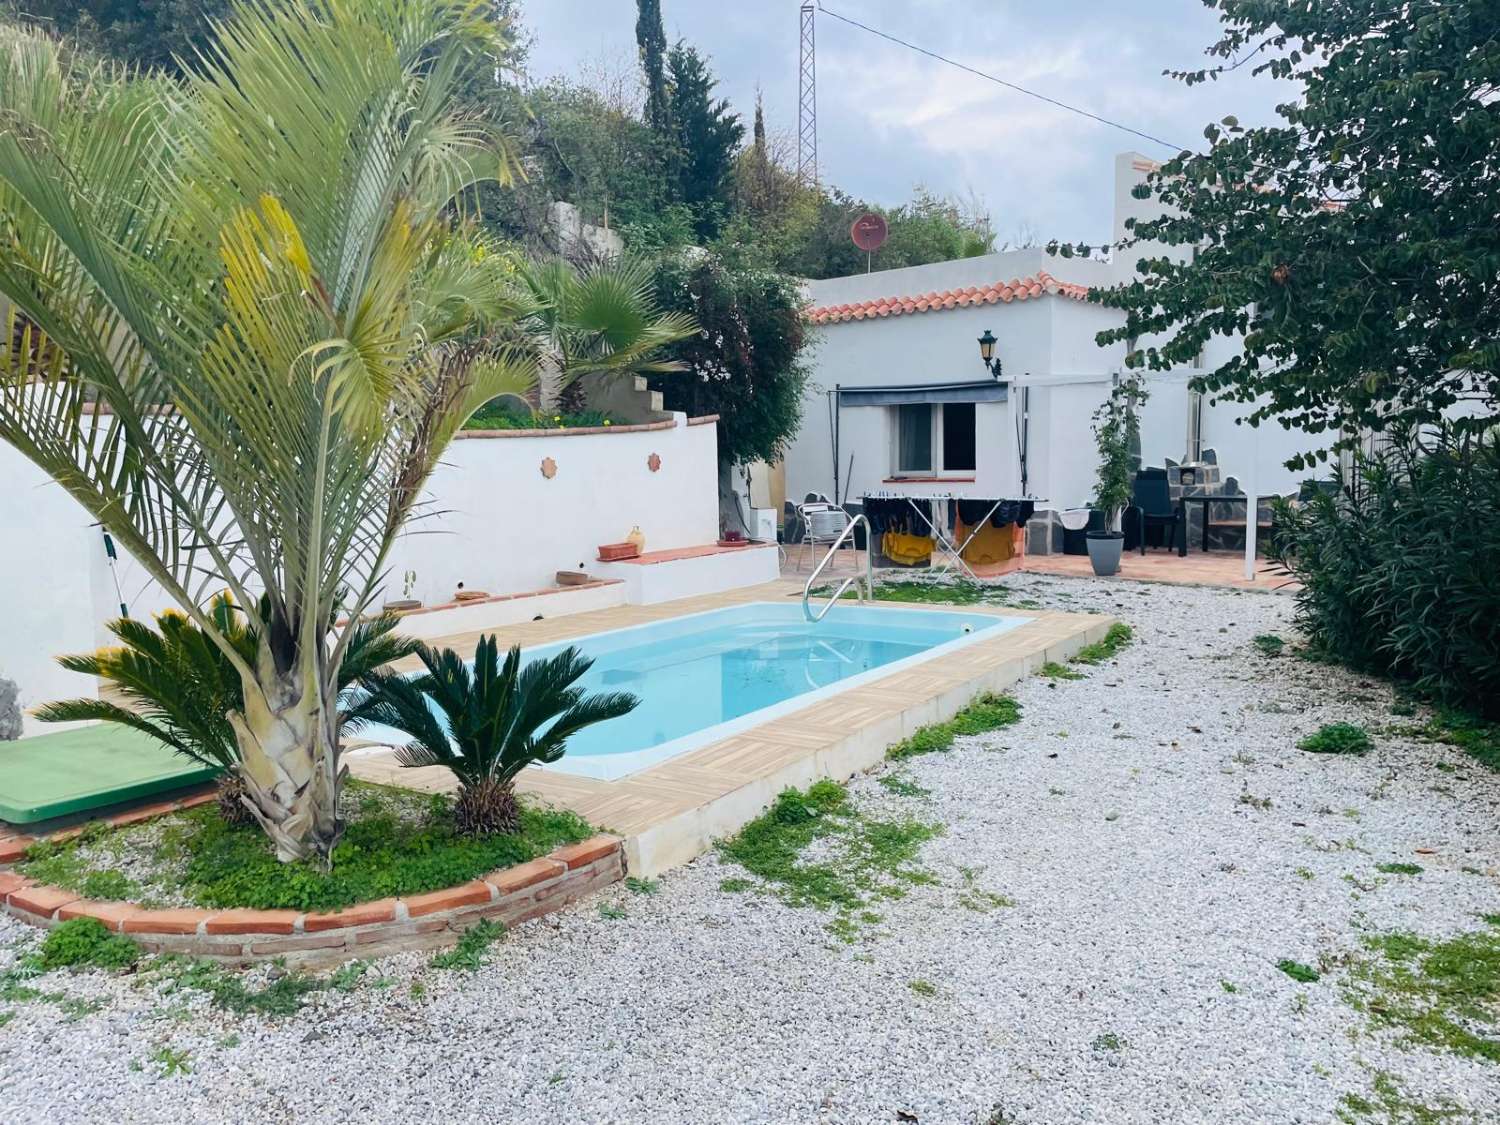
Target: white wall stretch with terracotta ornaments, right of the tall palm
[499, 526]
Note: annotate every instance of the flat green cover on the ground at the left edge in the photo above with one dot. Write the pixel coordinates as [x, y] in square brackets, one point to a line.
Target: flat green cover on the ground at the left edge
[92, 767]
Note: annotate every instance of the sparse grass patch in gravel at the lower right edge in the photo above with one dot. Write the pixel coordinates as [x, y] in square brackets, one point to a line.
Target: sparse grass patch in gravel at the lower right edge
[1442, 995]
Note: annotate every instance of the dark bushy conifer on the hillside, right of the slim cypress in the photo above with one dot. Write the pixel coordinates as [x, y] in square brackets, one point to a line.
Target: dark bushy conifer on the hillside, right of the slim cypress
[707, 134]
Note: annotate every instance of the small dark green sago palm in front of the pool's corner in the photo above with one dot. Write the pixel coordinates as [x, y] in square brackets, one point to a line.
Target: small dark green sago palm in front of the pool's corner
[490, 722]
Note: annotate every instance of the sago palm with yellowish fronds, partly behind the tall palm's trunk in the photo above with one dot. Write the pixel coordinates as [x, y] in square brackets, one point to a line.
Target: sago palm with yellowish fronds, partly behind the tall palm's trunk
[178, 686]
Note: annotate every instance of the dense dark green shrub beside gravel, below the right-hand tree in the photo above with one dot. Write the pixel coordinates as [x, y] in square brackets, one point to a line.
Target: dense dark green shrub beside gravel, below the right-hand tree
[1399, 568]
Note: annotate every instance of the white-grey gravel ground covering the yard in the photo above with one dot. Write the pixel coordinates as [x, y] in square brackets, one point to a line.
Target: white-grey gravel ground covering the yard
[1127, 820]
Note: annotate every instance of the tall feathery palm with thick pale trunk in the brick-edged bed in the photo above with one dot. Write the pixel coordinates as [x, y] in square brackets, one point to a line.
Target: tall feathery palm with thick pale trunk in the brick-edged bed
[245, 316]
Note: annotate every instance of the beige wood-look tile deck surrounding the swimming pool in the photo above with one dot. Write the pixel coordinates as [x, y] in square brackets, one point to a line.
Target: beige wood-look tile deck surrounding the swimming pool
[673, 812]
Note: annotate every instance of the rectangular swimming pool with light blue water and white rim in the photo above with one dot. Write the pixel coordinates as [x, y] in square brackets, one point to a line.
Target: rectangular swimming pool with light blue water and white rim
[704, 677]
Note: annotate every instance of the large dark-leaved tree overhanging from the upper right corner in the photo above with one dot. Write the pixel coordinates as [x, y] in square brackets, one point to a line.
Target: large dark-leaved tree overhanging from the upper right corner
[1355, 244]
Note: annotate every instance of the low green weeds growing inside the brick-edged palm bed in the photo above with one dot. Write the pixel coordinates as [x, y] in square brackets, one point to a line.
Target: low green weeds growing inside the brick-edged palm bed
[383, 854]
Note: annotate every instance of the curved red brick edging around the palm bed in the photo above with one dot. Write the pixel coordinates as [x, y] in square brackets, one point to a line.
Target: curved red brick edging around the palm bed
[367, 929]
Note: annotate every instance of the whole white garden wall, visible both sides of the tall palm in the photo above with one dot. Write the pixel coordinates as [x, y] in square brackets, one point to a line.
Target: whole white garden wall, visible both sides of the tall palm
[494, 523]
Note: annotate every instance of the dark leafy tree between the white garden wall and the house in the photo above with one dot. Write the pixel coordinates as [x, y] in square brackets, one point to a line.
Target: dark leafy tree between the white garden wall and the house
[745, 364]
